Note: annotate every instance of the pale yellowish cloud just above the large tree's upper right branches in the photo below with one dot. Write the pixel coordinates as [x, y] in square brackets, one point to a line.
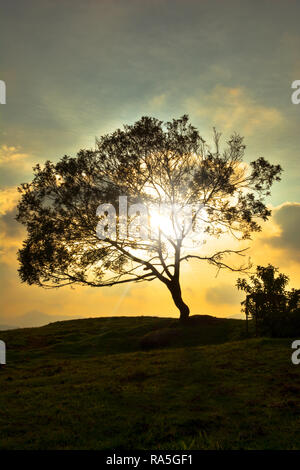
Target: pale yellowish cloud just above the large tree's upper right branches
[233, 109]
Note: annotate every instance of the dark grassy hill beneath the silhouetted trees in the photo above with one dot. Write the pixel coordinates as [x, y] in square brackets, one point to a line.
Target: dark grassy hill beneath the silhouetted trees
[97, 384]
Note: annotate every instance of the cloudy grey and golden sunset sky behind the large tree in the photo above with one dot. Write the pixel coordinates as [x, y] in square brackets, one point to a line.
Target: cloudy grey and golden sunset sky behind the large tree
[76, 70]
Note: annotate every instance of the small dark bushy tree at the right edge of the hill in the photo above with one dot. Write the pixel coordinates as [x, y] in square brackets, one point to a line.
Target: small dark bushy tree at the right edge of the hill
[267, 301]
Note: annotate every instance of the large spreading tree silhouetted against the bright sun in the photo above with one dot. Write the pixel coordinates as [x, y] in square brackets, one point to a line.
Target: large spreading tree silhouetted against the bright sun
[153, 164]
